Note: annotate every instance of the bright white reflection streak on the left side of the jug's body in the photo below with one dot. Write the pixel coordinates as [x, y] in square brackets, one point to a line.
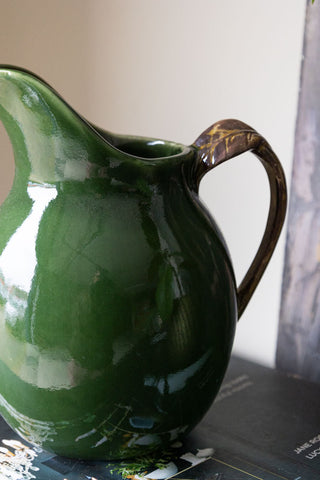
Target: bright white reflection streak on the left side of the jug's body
[18, 260]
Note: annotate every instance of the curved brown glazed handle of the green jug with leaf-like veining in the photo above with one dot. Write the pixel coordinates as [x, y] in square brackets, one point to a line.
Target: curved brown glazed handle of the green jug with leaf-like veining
[227, 139]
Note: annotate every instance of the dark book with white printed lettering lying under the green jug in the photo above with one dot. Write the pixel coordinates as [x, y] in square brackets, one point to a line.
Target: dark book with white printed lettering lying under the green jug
[264, 425]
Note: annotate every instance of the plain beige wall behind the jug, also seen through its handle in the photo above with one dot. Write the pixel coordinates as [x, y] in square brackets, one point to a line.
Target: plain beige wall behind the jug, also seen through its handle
[169, 69]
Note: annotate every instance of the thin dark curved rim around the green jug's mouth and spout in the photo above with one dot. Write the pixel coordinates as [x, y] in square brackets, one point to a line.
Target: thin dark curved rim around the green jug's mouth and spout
[182, 150]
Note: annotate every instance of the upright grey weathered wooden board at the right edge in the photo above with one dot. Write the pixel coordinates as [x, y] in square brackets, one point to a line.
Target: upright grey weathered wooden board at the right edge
[298, 348]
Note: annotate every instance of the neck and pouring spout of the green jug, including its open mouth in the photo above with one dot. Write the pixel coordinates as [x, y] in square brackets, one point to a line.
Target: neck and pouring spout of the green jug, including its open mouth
[53, 143]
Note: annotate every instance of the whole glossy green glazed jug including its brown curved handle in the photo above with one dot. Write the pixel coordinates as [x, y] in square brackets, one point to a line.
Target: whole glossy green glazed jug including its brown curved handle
[118, 302]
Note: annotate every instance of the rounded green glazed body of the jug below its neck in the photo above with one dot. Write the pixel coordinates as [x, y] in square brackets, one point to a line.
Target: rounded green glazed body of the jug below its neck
[116, 329]
